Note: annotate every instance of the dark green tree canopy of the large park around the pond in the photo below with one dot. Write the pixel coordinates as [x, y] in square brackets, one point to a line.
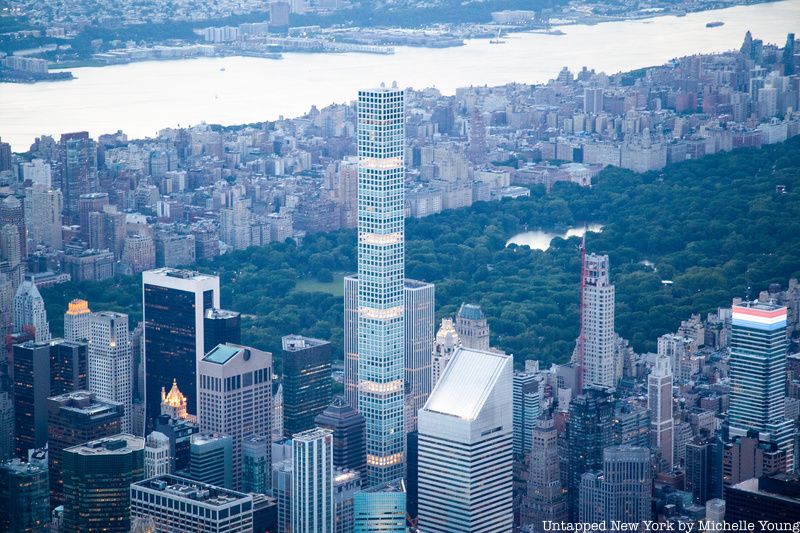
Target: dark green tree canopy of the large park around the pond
[712, 226]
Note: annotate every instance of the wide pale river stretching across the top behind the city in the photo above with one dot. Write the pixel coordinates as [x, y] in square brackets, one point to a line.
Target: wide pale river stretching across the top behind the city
[141, 98]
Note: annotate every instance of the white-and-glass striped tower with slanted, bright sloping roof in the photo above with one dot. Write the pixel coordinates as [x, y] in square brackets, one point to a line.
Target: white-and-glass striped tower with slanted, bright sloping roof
[465, 447]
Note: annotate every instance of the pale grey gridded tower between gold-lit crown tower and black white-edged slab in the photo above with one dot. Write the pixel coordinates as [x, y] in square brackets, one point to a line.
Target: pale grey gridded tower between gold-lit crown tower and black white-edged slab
[110, 362]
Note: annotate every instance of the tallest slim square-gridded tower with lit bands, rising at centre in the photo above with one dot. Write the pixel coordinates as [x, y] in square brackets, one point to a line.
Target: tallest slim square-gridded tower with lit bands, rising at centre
[381, 248]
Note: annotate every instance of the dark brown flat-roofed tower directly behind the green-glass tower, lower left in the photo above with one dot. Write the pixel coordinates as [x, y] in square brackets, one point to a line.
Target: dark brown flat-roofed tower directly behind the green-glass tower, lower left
[75, 418]
